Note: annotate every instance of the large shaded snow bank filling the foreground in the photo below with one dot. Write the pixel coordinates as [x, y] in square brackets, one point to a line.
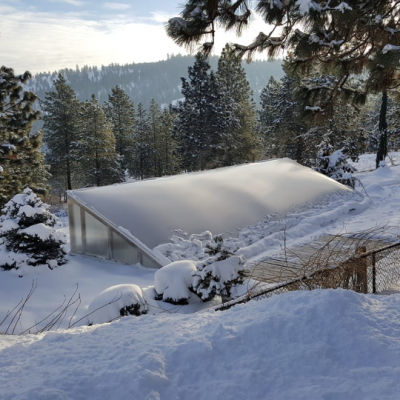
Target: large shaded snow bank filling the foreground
[300, 345]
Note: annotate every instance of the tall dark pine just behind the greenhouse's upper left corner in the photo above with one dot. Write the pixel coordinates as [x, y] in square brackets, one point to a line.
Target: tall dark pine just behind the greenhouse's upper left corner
[61, 127]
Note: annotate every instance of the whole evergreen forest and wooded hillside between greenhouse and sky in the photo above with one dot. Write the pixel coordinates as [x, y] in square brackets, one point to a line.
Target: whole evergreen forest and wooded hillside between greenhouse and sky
[119, 123]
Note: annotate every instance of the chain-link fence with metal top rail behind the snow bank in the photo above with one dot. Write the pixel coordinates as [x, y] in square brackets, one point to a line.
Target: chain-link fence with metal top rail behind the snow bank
[370, 272]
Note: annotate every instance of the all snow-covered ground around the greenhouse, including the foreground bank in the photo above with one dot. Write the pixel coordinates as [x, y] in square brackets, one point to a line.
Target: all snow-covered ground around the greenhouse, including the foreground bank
[304, 345]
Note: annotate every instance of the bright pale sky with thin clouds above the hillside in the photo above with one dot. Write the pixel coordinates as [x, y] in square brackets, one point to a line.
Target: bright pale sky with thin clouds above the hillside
[47, 35]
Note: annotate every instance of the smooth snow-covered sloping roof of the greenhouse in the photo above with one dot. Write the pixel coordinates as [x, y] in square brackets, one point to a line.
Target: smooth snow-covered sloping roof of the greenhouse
[220, 200]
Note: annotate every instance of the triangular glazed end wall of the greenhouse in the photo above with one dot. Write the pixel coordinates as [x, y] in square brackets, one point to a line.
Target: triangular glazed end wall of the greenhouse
[91, 236]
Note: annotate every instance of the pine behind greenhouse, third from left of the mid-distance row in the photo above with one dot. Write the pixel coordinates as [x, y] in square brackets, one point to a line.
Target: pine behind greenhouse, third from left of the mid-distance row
[121, 112]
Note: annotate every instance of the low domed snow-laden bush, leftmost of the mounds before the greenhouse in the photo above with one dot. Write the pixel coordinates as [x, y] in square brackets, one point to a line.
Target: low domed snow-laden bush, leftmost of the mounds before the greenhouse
[115, 302]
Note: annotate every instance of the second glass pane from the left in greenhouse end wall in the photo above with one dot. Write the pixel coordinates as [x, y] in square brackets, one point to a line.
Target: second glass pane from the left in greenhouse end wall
[96, 237]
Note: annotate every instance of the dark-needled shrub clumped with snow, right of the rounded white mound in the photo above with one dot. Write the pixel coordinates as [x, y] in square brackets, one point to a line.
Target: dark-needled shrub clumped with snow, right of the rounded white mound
[218, 277]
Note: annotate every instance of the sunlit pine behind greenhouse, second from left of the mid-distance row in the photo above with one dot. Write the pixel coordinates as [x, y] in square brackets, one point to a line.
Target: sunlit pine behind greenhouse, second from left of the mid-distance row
[96, 147]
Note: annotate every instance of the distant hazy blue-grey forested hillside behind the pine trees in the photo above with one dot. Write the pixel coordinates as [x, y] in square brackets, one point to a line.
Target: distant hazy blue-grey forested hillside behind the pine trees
[143, 82]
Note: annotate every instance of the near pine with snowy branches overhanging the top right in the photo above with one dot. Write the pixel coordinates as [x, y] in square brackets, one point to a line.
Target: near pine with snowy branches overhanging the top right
[342, 38]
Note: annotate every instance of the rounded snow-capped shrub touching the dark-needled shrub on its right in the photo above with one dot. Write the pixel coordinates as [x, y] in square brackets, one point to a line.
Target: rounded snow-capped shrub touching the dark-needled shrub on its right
[174, 281]
